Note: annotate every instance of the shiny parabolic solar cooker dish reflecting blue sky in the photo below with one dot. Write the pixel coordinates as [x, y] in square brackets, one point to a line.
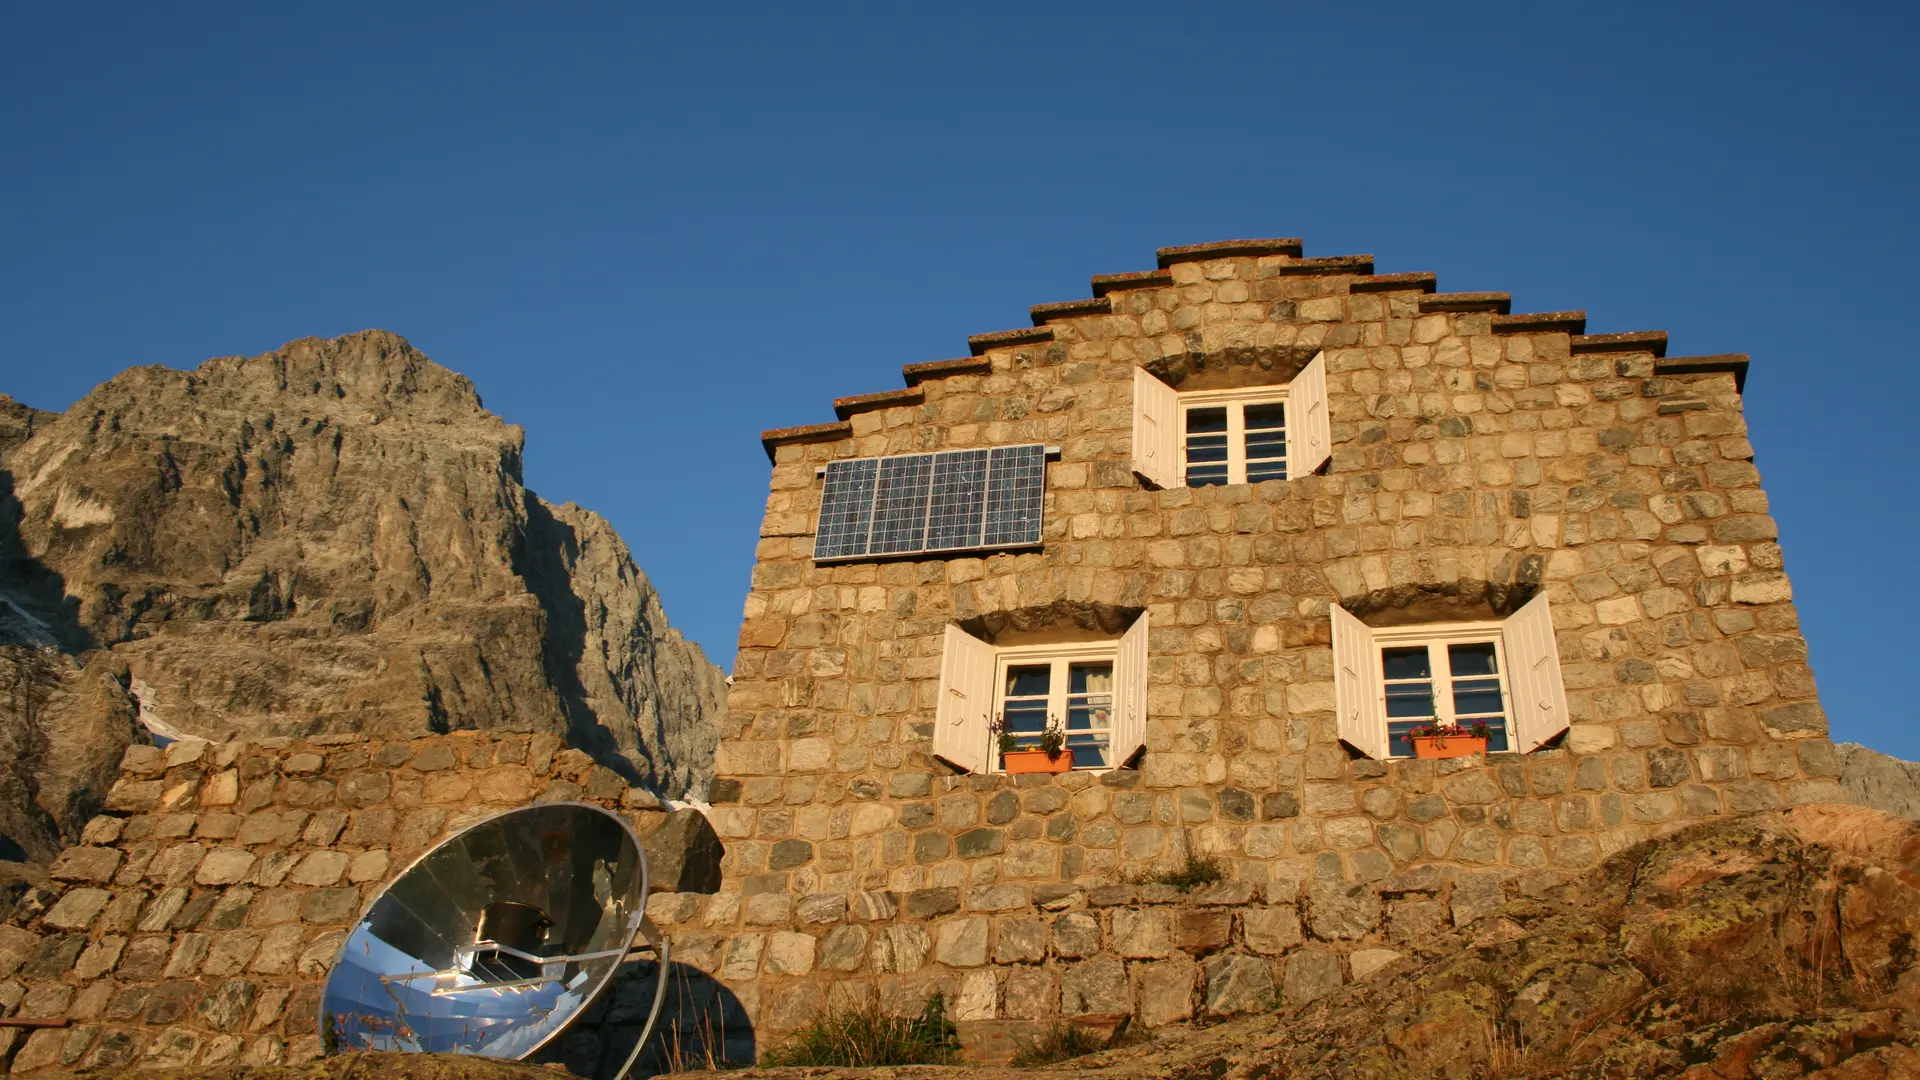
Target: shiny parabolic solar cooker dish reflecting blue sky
[498, 939]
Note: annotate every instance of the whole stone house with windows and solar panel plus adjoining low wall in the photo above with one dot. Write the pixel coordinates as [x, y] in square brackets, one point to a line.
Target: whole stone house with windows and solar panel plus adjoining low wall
[1236, 526]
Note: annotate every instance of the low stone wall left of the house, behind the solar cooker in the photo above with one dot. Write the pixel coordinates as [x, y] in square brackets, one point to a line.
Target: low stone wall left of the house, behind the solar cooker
[204, 908]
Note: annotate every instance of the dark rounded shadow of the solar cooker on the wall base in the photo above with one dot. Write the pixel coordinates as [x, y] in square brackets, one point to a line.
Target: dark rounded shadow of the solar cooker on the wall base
[702, 1027]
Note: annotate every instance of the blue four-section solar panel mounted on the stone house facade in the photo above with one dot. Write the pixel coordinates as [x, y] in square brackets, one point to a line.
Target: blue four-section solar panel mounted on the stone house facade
[953, 501]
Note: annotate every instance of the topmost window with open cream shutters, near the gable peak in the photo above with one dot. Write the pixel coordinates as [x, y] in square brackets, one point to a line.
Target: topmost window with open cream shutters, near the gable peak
[1230, 437]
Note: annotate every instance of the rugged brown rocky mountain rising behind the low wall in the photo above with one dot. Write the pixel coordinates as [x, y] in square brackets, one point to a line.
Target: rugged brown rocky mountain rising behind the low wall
[329, 537]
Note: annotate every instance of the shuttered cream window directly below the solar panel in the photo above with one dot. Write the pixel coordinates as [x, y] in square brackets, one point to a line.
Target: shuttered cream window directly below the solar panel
[1095, 691]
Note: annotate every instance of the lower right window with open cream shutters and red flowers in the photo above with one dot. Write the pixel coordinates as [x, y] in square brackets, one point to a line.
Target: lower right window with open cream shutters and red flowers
[1506, 675]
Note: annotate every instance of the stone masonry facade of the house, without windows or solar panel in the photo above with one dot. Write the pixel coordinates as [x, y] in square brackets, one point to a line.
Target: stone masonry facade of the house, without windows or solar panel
[1477, 458]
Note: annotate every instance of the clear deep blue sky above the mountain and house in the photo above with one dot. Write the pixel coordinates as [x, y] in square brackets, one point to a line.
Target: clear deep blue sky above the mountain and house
[650, 237]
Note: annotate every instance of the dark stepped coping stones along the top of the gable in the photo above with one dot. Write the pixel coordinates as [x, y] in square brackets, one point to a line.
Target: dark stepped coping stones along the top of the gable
[1289, 260]
